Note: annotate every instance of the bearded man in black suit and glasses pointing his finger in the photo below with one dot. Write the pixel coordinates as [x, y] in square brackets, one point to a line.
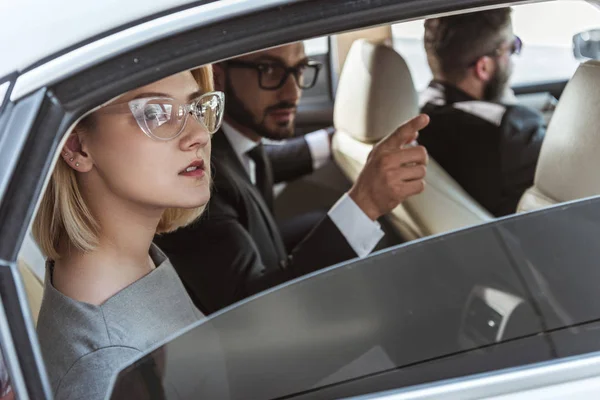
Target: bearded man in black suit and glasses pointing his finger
[236, 249]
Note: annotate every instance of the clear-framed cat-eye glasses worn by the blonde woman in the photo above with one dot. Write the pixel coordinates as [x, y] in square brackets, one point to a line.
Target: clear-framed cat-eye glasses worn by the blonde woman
[163, 118]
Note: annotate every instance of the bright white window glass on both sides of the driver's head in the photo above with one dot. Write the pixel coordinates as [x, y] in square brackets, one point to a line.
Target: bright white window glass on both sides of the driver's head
[546, 29]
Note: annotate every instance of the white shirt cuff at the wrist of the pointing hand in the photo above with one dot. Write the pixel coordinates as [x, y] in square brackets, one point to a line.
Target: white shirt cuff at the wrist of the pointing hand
[360, 231]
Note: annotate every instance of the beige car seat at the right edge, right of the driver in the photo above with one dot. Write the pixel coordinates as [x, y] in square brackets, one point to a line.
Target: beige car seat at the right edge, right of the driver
[566, 169]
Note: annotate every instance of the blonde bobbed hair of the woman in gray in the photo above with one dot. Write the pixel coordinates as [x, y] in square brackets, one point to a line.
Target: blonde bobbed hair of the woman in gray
[63, 214]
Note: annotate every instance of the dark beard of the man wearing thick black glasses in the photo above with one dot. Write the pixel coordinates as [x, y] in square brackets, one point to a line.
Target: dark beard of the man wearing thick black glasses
[237, 111]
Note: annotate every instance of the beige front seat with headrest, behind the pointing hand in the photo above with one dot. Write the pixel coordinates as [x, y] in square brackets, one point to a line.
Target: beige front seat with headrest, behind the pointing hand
[375, 95]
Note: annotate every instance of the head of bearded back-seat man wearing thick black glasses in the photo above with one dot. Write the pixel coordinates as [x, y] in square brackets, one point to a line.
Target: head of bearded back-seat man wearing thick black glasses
[263, 91]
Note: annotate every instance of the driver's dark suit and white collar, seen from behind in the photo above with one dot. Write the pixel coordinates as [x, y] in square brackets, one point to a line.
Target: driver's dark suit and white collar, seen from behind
[490, 149]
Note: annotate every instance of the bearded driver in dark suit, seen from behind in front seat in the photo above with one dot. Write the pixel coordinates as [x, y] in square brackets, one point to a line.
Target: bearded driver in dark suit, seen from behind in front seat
[478, 134]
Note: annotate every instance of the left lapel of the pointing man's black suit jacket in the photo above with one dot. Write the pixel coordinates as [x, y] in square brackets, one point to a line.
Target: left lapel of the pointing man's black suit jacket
[222, 149]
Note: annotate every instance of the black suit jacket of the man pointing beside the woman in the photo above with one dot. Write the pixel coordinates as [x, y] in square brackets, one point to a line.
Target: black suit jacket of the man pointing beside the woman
[235, 249]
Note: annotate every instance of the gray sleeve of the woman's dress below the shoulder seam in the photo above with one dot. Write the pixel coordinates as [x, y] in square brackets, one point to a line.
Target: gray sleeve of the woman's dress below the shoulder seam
[90, 376]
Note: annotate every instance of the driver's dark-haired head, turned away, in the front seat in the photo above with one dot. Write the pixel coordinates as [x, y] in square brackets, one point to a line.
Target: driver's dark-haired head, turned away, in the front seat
[475, 48]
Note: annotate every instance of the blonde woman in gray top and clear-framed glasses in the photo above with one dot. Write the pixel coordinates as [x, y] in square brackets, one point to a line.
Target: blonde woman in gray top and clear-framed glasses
[136, 167]
